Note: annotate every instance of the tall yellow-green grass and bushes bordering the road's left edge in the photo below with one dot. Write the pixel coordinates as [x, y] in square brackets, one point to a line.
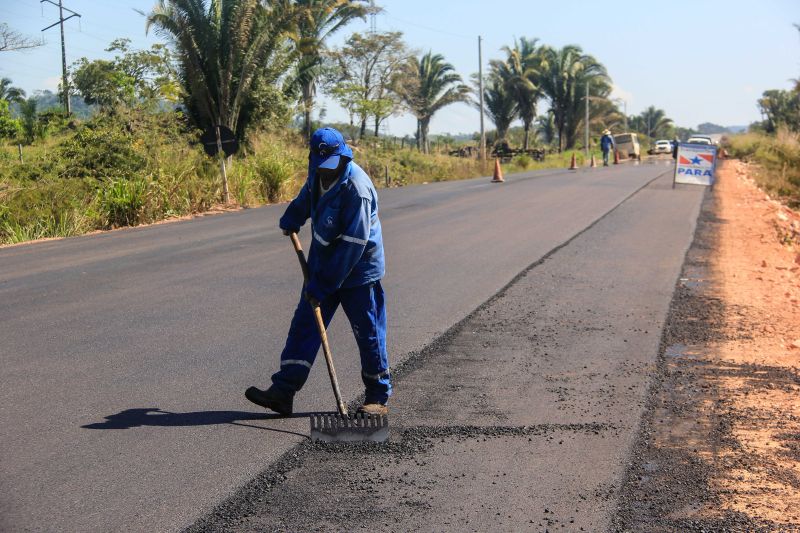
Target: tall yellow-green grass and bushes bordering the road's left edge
[124, 171]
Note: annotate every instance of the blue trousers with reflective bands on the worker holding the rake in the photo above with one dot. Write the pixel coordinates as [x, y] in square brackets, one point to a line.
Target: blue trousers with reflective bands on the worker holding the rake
[364, 307]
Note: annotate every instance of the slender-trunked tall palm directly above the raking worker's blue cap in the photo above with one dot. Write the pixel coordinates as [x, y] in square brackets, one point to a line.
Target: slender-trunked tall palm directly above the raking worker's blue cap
[318, 20]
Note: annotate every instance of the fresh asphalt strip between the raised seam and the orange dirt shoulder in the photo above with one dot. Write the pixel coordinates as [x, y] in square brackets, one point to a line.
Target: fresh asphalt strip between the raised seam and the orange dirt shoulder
[521, 417]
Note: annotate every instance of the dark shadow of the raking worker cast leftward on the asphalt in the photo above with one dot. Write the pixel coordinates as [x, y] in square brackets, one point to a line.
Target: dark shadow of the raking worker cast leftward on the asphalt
[152, 416]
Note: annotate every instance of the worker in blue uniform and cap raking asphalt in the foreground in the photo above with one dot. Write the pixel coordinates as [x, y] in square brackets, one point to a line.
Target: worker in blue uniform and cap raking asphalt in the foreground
[346, 264]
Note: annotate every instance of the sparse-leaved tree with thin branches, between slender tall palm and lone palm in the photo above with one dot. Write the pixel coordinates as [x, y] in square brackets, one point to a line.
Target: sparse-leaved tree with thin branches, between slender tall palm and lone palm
[364, 75]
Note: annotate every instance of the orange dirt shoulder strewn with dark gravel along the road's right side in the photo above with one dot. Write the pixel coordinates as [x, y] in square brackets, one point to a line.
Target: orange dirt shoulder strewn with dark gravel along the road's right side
[719, 449]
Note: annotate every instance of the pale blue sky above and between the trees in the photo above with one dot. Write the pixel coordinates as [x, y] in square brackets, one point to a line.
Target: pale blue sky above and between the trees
[698, 60]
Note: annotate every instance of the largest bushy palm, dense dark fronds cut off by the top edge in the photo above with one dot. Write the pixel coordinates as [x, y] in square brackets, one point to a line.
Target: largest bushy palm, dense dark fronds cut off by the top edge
[224, 47]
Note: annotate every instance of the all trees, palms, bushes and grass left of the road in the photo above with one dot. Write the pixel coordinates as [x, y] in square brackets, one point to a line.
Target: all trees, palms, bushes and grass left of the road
[129, 153]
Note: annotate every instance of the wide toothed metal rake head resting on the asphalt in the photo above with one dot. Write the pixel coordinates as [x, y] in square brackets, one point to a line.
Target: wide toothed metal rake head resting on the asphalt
[359, 427]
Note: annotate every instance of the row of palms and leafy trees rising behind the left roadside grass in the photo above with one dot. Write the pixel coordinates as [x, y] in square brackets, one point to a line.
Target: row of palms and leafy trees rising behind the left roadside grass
[250, 63]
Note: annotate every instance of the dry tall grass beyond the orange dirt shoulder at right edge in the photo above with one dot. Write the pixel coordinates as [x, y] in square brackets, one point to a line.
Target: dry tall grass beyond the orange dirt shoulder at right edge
[779, 159]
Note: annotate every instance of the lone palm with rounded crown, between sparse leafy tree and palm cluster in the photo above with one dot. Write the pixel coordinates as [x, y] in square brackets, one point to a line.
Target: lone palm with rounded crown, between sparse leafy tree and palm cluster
[430, 84]
